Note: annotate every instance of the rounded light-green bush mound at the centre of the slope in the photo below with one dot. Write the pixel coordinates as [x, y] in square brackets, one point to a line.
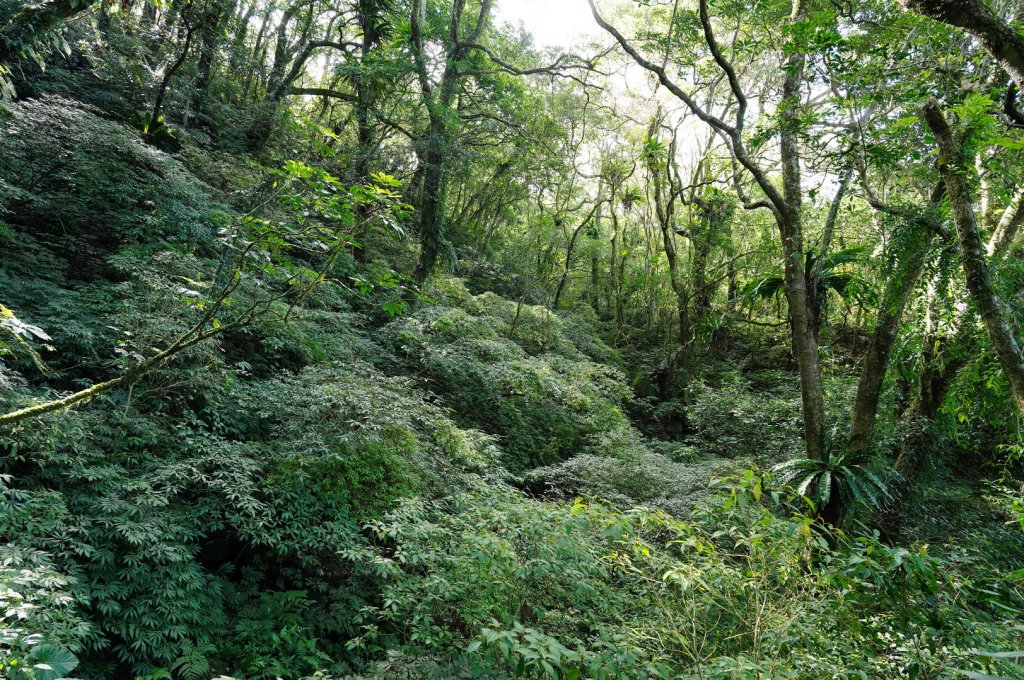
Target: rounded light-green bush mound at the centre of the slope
[520, 377]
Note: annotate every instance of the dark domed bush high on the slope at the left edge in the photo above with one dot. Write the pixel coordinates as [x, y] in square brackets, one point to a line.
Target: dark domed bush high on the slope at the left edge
[72, 174]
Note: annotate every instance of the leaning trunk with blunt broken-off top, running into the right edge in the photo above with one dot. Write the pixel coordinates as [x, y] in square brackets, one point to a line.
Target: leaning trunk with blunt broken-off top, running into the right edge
[979, 282]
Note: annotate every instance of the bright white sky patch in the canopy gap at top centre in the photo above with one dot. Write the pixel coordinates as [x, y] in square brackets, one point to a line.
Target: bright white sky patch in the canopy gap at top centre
[553, 23]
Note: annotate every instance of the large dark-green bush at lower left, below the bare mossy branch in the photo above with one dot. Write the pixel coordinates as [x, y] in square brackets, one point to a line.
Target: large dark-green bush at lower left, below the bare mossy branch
[155, 517]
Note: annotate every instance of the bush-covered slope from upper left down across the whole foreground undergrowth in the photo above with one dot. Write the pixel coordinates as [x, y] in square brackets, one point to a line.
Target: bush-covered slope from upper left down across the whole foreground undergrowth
[347, 493]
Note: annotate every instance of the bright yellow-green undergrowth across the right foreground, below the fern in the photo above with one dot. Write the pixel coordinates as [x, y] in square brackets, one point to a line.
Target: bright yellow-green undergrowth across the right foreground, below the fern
[489, 581]
